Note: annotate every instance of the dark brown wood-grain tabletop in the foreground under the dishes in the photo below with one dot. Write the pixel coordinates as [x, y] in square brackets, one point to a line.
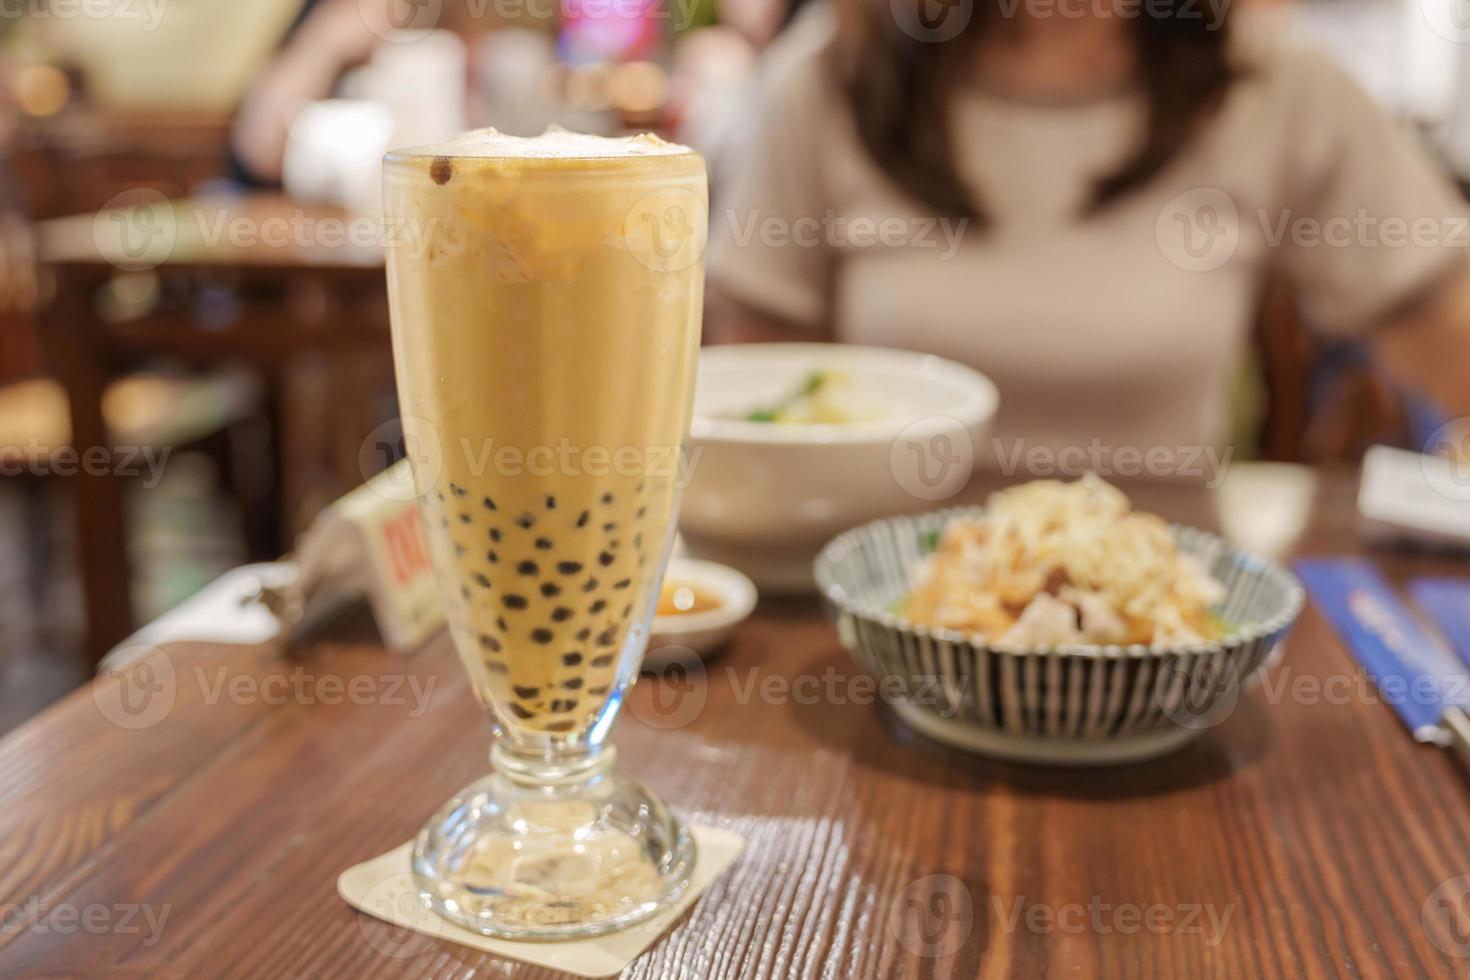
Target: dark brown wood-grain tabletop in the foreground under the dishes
[1303, 838]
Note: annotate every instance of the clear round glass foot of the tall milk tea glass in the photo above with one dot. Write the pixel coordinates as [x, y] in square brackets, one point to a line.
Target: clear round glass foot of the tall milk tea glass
[552, 851]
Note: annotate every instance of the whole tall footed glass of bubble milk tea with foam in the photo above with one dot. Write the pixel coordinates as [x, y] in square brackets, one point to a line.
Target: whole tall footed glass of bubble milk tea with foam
[546, 303]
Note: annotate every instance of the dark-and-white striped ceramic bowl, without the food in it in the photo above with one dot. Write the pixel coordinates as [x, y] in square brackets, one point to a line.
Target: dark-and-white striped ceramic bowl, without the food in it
[1068, 706]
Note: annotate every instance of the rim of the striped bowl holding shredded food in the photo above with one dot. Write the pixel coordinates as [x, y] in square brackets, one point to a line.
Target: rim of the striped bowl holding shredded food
[1294, 594]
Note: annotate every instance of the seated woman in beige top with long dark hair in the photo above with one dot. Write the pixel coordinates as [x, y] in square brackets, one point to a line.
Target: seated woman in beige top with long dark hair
[1084, 199]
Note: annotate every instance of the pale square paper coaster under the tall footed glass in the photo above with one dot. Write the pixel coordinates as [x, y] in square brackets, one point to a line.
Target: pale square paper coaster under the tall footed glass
[384, 888]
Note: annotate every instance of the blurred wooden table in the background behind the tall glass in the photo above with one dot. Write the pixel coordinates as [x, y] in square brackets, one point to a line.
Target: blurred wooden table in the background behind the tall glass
[309, 317]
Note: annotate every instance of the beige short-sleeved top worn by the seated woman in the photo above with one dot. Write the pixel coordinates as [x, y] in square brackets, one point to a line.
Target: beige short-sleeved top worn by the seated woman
[1119, 330]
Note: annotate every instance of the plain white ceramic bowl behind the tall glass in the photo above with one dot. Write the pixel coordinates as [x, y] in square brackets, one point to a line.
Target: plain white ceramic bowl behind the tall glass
[767, 497]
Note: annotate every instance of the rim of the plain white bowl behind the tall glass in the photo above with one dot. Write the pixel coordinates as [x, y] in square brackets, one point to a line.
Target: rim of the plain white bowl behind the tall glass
[978, 406]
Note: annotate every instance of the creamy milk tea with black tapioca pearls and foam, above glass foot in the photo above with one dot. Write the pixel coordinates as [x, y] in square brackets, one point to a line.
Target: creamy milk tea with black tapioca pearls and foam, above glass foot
[546, 318]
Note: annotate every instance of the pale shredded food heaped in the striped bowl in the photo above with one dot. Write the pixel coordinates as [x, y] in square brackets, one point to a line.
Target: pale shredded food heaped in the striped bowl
[1065, 563]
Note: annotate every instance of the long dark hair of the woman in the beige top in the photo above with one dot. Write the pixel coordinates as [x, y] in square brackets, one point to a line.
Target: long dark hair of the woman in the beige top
[900, 93]
